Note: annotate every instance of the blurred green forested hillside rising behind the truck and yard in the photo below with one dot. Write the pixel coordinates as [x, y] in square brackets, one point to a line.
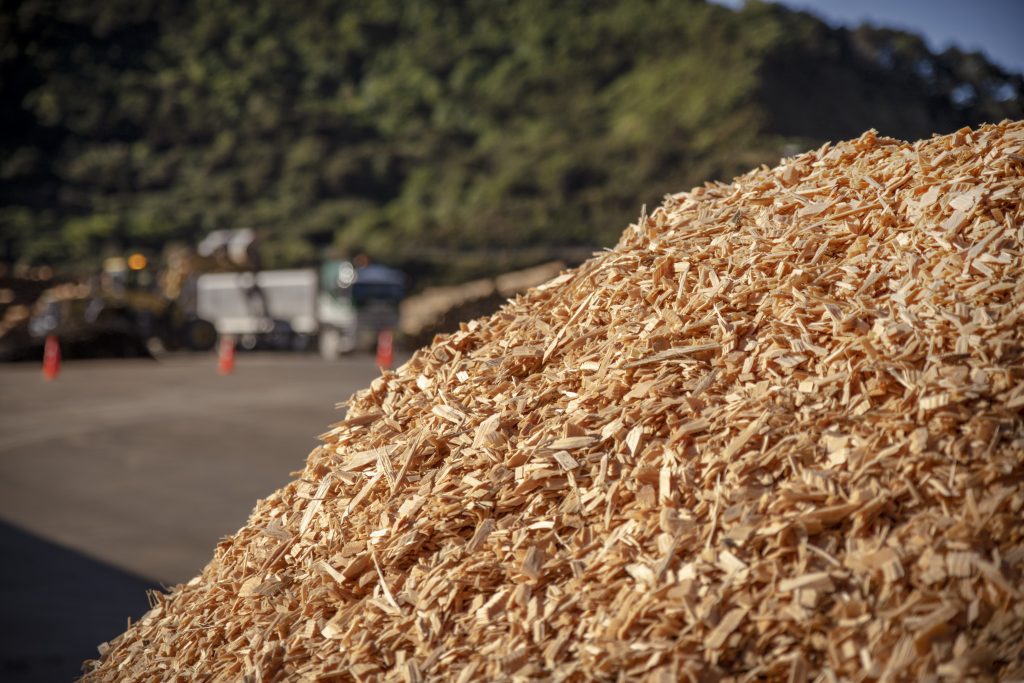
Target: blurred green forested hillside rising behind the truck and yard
[418, 131]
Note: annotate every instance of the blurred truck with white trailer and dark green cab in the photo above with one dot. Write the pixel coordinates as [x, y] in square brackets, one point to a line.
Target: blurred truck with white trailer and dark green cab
[337, 308]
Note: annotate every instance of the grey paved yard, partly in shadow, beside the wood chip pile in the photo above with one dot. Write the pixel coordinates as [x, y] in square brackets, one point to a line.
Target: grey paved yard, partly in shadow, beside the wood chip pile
[125, 474]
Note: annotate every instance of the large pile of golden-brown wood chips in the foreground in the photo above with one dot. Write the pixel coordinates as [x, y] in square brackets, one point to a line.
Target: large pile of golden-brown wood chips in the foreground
[776, 434]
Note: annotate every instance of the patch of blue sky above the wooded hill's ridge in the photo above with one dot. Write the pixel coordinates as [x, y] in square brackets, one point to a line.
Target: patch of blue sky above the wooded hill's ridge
[994, 27]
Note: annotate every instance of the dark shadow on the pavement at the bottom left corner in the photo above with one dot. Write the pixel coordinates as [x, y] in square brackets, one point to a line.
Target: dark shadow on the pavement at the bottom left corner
[58, 606]
